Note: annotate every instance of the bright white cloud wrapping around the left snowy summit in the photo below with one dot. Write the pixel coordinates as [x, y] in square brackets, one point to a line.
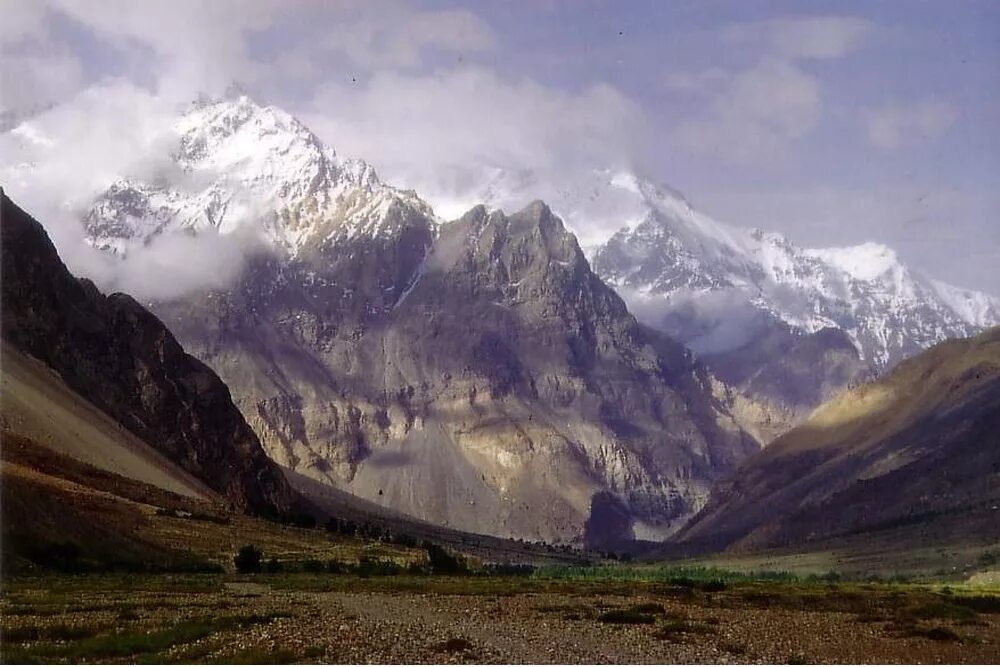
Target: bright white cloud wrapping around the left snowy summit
[59, 160]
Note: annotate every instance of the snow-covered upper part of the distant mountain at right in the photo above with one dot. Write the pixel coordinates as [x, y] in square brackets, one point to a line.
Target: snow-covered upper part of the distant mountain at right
[675, 253]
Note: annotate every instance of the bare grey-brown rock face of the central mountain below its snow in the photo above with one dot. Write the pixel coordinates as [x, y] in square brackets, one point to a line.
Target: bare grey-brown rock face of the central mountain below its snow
[501, 391]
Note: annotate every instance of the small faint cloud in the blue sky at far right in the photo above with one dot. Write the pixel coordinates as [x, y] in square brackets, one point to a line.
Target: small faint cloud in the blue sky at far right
[894, 125]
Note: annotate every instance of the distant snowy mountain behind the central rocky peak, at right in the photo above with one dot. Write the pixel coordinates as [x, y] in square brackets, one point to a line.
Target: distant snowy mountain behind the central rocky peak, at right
[786, 327]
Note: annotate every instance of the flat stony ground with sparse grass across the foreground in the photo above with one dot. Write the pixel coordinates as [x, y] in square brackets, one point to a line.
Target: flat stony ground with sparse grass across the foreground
[340, 619]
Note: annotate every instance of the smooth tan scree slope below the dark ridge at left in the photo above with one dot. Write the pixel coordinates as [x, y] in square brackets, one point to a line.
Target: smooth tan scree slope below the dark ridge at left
[37, 404]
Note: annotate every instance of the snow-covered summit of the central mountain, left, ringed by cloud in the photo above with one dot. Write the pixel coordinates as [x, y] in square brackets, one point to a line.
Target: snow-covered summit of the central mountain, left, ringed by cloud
[236, 164]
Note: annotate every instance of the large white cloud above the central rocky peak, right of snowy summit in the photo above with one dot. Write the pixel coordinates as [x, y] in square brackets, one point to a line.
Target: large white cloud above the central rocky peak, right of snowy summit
[451, 134]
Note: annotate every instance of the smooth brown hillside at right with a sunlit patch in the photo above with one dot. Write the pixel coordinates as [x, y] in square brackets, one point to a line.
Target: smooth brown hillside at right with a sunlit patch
[918, 451]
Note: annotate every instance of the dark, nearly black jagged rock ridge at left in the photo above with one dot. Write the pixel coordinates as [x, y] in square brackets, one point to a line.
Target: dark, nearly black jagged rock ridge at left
[124, 360]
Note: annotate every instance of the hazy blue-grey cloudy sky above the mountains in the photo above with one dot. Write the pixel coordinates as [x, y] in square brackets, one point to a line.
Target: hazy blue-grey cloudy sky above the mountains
[834, 122]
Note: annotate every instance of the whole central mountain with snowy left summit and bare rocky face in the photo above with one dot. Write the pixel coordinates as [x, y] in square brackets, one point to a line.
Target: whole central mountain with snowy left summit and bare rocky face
[467, 373]
